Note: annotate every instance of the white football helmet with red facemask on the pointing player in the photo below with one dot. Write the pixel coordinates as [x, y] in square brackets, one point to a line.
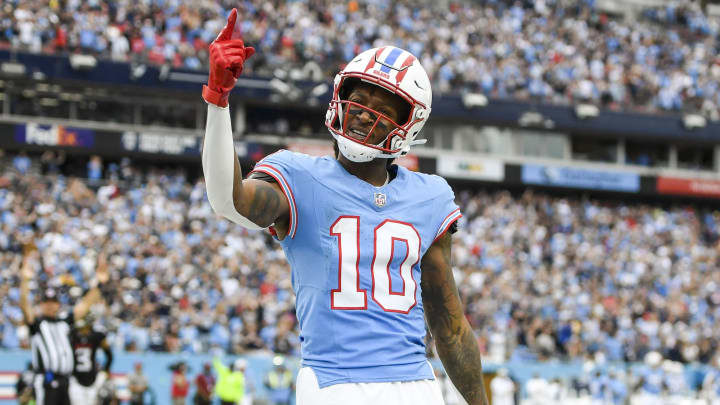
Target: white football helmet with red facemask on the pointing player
[396, 71]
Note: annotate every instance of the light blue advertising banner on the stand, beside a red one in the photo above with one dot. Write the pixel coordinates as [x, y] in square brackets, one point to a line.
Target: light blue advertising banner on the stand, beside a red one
[580, 178]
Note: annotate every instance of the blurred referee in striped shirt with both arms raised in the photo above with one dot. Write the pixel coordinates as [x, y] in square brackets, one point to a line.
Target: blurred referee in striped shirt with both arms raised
[52, 355]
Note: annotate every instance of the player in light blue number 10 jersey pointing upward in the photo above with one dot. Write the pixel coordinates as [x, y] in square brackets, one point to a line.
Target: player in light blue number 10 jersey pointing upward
[356, 230]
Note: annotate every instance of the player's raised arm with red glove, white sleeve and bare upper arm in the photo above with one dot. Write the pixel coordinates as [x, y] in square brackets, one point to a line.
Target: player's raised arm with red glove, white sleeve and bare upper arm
[252, 203]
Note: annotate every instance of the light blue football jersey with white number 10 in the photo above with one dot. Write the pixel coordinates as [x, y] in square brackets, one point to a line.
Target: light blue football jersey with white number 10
[355, 252]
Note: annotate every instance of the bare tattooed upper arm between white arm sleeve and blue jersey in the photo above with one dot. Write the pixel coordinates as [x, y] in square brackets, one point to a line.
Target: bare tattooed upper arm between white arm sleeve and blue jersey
[260, 201]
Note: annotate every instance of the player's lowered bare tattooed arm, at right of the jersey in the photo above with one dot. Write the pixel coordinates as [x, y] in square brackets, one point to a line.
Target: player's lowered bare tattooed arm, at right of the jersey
[454, 339]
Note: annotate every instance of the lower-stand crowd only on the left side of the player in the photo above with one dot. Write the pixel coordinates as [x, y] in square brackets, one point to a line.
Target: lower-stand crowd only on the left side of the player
[187, 280]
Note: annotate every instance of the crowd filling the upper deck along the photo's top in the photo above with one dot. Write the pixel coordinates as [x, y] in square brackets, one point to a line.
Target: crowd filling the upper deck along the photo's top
[557, 51]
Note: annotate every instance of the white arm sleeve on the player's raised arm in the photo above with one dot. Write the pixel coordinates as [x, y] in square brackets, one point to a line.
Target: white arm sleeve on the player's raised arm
[218, 161]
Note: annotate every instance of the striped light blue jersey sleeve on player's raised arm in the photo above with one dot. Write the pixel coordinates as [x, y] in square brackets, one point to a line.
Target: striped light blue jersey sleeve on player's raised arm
[281, 166]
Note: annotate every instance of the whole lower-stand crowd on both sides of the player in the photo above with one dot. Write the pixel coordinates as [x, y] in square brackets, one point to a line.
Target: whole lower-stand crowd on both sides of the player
[542, 277]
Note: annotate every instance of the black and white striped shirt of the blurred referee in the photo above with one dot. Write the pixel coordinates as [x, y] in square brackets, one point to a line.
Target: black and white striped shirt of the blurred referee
[50, 343]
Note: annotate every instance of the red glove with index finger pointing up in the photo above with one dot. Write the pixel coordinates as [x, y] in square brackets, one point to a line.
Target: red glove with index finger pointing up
[227, 56]
